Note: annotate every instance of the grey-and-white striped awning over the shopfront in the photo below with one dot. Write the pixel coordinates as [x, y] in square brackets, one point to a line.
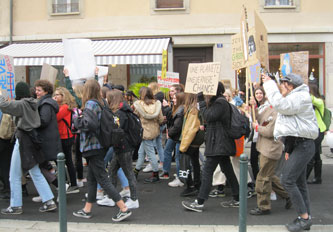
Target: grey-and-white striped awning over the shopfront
[120, 51]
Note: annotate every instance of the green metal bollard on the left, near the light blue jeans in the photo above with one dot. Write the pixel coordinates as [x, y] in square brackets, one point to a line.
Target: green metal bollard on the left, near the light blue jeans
[62, 193]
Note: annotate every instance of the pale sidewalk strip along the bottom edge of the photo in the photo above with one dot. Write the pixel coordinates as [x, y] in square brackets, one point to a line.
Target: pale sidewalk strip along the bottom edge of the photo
[40, 226]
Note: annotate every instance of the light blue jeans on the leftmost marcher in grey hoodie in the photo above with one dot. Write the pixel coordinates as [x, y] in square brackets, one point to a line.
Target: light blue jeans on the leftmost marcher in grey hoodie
[15, 174]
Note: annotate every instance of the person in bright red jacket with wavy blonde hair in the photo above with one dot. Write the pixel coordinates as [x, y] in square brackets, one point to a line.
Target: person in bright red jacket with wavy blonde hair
[66, 103]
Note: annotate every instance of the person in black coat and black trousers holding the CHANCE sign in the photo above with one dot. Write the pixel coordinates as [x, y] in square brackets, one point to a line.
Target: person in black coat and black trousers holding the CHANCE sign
[219, 147]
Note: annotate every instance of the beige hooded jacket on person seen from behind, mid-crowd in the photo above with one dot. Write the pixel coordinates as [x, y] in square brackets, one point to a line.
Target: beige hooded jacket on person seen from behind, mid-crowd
[151, 117]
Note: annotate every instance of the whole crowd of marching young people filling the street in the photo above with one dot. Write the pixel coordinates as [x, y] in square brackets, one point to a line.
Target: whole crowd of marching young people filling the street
[284, 126]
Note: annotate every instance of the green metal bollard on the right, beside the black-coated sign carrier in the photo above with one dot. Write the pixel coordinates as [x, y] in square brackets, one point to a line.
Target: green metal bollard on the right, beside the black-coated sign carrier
[243, 192]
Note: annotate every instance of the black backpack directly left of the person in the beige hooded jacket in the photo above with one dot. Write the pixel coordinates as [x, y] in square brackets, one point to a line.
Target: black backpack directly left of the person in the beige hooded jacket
[135, 129]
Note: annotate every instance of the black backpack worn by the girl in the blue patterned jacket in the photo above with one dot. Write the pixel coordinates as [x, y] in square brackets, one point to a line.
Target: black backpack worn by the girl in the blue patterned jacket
[109, 133]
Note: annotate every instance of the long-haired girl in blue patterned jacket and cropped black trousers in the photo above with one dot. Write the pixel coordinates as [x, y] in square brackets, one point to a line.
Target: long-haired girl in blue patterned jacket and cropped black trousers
[94, 152]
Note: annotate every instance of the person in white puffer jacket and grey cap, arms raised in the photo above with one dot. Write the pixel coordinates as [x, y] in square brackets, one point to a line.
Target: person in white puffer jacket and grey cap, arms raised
[296, 123]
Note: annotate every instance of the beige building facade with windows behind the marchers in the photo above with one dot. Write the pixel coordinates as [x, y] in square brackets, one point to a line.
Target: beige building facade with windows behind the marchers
[199, 31]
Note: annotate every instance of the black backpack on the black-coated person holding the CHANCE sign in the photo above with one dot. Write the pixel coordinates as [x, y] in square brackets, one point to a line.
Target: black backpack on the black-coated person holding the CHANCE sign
[239, 123]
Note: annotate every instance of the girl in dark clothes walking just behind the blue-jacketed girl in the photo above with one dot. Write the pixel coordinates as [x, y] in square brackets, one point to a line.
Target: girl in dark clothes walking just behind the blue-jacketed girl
[123, 152]
